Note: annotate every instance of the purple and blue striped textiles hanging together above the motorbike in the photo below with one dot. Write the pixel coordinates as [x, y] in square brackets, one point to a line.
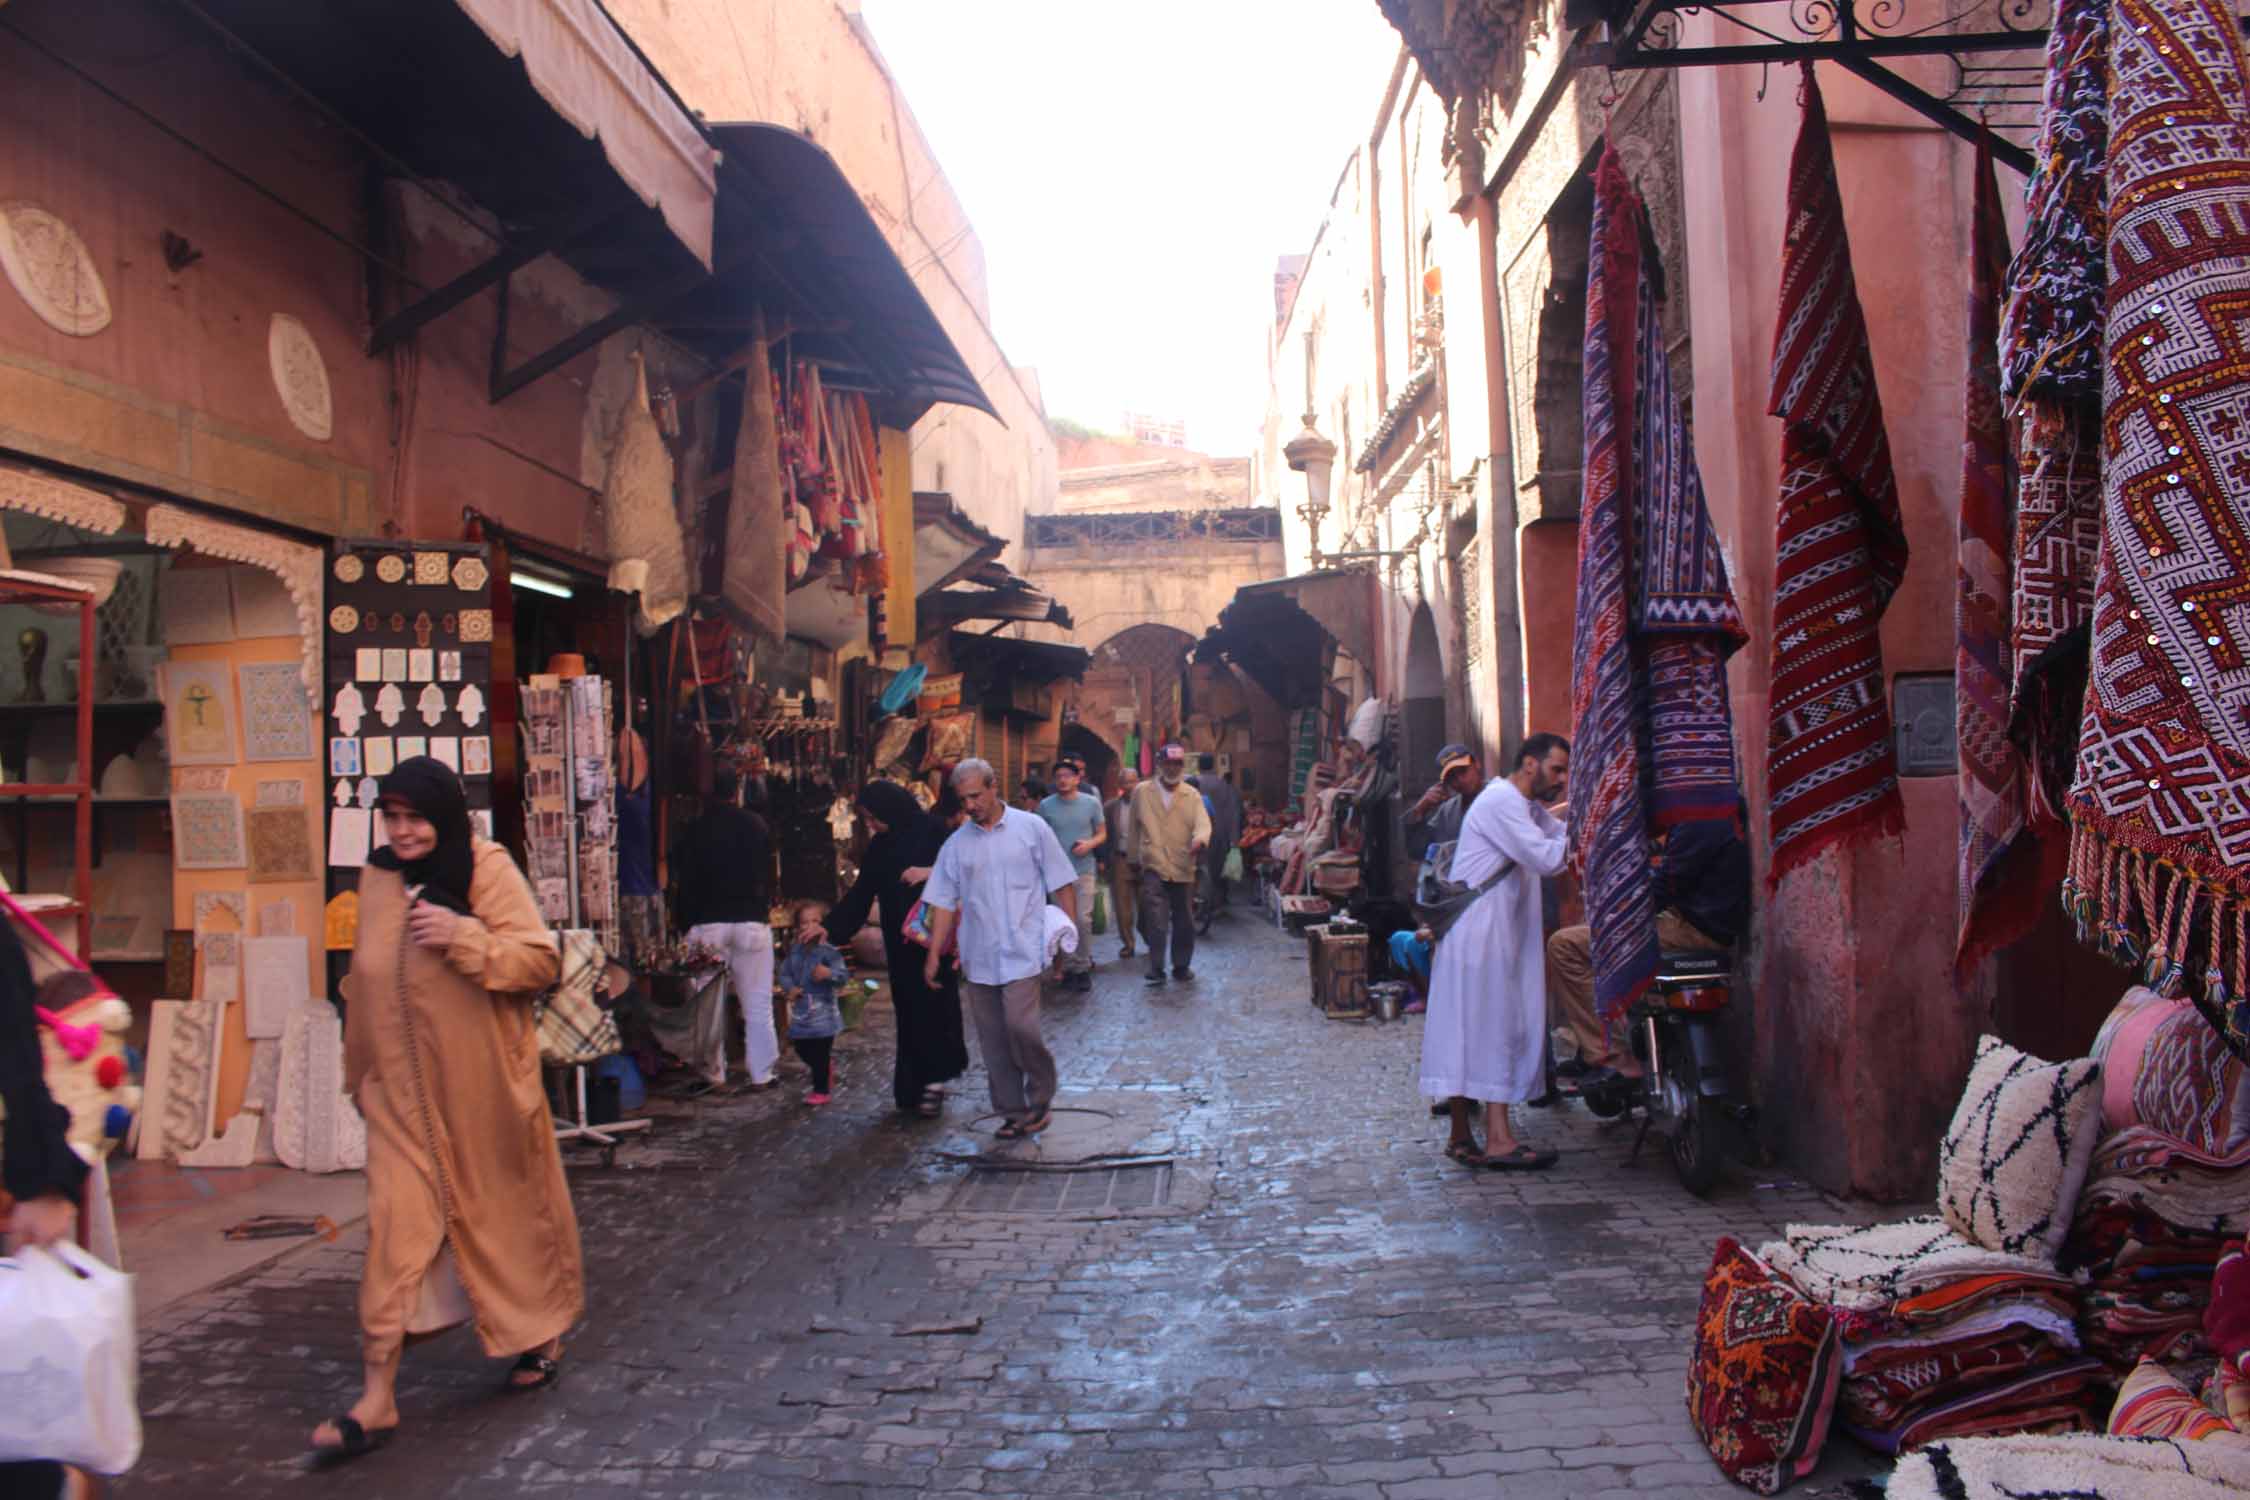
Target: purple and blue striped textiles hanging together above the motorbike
[1653, 732]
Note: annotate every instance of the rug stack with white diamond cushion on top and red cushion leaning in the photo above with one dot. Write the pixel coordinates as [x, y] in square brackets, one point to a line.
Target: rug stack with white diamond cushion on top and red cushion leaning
[1932, 1328]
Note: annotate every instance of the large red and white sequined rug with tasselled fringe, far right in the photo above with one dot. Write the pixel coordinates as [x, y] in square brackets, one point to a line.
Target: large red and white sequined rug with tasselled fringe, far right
[2161, 802]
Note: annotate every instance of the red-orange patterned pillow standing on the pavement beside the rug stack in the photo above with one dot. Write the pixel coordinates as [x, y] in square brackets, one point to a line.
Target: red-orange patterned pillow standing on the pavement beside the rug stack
[1763, 1377]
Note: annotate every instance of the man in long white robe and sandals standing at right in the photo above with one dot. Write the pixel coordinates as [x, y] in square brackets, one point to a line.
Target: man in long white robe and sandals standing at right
[1486, 1031]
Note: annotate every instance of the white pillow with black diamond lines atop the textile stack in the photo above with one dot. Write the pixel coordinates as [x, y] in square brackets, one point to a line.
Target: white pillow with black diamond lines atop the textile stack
[2017, 1153]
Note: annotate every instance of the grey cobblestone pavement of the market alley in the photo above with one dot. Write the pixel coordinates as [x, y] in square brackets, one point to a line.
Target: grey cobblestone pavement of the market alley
[1326, 1305]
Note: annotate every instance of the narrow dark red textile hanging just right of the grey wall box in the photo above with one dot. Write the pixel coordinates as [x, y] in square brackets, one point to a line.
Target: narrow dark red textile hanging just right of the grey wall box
[1999, 898]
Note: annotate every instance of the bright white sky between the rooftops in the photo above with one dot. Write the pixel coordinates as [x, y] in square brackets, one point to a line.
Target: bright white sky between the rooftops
[1135, 172]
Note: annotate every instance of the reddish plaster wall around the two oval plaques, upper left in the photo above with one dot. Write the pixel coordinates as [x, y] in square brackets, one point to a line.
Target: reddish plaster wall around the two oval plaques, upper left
[195, 341]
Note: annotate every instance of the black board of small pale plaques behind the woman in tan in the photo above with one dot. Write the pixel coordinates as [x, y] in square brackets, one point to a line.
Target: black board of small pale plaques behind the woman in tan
[379, 687]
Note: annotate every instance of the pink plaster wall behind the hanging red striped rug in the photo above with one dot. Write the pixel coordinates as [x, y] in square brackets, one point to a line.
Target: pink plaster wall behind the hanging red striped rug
[1860, 1038]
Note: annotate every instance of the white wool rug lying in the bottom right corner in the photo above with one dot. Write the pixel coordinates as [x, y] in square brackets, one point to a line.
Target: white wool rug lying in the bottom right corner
[2076, 1470]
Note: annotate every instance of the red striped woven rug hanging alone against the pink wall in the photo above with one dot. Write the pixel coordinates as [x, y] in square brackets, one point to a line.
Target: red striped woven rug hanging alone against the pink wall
[1839, 554]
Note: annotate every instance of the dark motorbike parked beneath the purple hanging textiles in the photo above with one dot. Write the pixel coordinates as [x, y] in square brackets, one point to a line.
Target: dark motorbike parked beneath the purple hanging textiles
[1684, 1090]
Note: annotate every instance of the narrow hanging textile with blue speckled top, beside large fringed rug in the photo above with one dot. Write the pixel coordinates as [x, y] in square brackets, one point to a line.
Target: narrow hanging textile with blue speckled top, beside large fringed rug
[2051, 374]
